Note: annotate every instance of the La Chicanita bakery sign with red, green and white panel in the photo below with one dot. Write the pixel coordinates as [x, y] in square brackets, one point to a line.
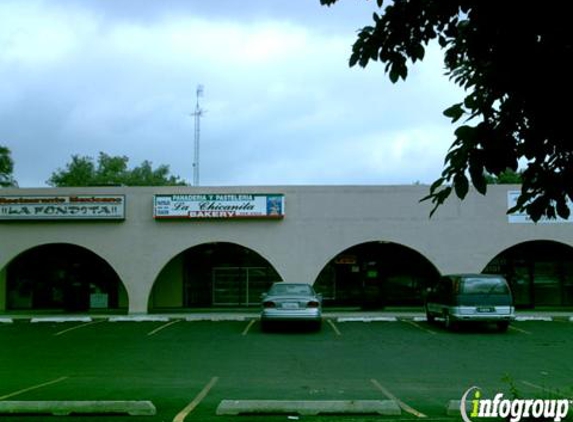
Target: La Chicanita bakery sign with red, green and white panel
[219, 206]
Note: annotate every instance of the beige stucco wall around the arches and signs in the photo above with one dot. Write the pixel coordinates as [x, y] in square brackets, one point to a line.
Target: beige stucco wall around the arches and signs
[320, 222]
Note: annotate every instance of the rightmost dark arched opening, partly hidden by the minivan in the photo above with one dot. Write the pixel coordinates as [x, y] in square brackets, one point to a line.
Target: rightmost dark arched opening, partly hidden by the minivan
[539, 272]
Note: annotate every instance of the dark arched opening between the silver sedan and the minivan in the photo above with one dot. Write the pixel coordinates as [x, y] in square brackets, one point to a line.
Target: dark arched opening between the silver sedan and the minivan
[376, 274]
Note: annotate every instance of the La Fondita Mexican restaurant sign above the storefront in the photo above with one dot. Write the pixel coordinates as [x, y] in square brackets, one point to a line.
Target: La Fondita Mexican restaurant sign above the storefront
[62, 207]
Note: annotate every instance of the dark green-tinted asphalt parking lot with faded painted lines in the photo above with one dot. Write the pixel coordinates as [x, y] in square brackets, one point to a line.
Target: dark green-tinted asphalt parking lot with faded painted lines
[187, 368]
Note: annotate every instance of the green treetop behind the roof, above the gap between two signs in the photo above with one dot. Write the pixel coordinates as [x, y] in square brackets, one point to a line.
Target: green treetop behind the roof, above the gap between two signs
[110, 170]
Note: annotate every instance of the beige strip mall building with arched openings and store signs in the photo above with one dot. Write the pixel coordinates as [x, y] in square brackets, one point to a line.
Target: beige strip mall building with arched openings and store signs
[146, 250]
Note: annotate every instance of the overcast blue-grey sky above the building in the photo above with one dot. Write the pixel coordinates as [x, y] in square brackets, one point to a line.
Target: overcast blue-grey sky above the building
[281, 104]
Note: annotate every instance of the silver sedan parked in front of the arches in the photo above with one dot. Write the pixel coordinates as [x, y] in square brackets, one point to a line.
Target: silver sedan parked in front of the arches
[291, 302]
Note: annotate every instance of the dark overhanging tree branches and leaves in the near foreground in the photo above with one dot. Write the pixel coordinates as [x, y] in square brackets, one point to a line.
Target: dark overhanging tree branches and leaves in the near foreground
[513, 59]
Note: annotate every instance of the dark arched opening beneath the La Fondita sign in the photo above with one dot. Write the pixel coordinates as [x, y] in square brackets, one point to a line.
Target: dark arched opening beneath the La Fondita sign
[63, 277]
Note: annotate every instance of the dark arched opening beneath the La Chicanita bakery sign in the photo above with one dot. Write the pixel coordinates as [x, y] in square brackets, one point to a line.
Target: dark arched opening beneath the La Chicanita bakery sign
[218, 274]
